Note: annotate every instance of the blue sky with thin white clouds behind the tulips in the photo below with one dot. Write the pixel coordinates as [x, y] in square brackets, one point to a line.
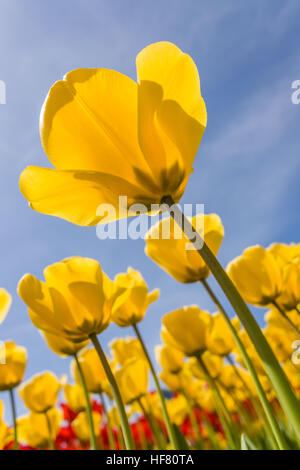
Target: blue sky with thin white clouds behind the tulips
[247, 167]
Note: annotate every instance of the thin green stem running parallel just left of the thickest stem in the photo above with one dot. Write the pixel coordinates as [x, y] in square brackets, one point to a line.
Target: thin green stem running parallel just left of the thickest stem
[260, 391]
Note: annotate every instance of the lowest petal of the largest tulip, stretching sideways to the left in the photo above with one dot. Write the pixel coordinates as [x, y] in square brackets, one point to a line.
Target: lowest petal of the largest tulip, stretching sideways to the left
[76, 196]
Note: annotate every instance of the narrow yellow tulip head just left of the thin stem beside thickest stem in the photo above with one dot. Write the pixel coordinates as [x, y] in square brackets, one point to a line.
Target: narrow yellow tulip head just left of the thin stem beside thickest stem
[219, 338]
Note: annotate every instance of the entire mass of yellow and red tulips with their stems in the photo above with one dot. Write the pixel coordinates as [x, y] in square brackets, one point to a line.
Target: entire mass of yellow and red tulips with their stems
[228, 384]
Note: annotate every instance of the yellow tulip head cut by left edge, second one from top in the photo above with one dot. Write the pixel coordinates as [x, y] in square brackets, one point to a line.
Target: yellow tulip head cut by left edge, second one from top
[12, 372]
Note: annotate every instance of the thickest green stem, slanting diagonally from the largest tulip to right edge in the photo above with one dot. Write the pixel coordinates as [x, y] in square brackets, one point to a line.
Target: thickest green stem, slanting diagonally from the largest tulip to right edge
[282, 387]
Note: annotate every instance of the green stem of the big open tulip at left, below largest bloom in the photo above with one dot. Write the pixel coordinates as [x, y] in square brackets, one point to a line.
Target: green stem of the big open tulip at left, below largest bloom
[129, 442]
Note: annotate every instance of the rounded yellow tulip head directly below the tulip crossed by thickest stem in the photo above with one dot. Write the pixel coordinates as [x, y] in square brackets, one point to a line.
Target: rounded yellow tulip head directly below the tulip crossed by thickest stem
[185, 329]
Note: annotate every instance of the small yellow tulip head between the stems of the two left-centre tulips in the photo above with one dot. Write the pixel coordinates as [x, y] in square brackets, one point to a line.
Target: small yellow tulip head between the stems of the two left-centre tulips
[132, 379]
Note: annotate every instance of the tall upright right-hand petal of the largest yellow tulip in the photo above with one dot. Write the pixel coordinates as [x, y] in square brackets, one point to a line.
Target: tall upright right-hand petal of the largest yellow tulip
[170, 97]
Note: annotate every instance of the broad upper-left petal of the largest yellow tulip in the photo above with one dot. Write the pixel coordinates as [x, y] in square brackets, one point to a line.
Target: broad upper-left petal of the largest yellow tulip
[89, 121]
